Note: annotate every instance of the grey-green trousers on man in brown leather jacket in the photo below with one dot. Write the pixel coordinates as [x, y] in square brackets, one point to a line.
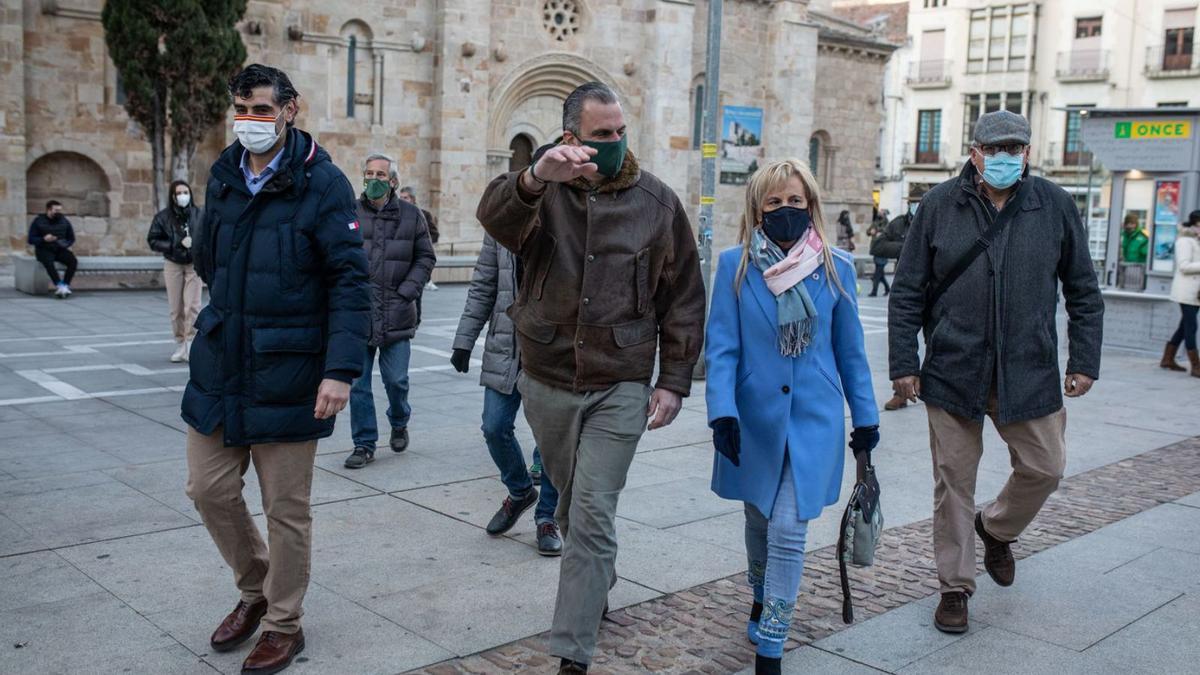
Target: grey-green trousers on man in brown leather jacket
[587, 444]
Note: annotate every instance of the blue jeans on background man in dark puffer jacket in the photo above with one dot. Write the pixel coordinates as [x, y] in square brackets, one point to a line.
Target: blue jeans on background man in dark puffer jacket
[394, 369]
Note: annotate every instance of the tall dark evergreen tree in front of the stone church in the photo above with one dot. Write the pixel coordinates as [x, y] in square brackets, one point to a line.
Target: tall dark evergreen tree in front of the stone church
[175, 58]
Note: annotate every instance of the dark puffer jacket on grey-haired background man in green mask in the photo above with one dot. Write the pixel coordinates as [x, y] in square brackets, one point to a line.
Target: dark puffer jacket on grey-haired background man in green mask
[401, 260]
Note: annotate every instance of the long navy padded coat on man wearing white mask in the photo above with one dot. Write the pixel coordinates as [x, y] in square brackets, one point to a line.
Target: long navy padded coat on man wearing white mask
[290, 300]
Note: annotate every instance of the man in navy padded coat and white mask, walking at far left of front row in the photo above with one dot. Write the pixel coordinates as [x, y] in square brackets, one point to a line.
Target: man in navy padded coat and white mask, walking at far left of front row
[275, 354]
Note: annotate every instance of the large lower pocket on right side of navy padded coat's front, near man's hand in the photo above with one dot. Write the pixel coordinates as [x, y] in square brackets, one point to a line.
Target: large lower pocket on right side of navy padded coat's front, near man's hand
[287, 365]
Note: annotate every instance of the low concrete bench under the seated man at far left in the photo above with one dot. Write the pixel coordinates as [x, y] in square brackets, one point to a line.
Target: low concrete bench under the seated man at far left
[95, 273]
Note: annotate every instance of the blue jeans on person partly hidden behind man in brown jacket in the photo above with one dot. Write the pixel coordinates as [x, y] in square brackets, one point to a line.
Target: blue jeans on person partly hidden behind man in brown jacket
[500, 433]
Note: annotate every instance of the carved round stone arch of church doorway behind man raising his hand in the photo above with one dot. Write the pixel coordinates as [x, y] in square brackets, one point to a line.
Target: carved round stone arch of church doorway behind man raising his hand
[530, 103]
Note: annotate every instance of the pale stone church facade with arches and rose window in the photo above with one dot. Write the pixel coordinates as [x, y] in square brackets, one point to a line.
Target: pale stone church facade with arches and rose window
[458, 91]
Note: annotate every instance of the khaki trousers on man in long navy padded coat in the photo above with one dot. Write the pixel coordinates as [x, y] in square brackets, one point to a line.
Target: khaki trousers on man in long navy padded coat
[279, 572]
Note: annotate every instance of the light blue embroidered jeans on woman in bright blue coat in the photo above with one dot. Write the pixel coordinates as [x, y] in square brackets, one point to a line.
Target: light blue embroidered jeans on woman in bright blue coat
[776, 553]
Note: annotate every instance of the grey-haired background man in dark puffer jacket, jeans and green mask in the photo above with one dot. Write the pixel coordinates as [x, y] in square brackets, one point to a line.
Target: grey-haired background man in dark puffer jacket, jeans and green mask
[401, 260]
